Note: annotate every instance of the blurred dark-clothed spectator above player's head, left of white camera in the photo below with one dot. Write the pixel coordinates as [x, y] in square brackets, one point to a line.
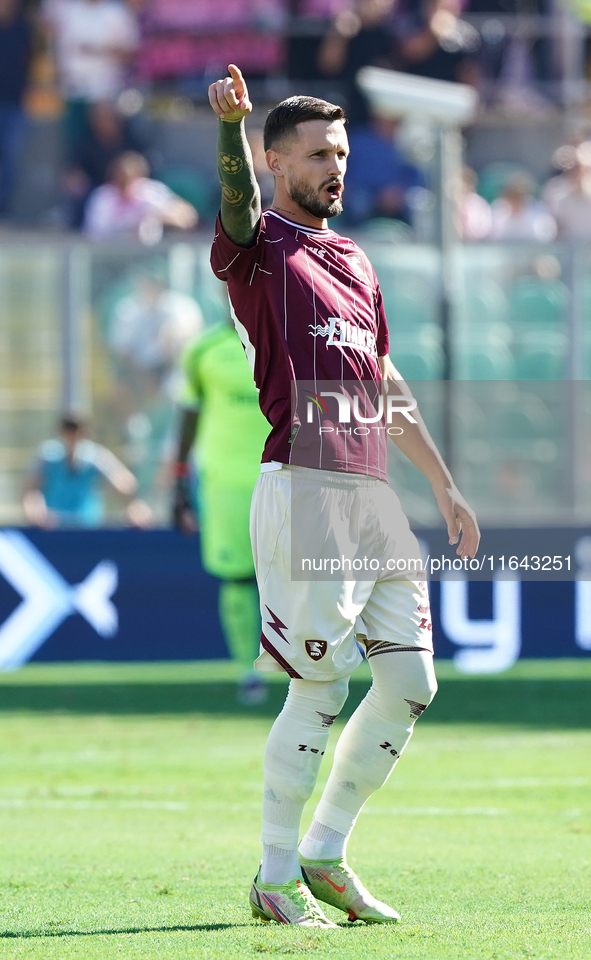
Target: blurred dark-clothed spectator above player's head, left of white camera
[358, 37]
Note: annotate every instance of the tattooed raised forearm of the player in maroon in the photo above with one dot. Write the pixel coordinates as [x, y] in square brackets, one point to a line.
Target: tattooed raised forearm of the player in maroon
[241, 203]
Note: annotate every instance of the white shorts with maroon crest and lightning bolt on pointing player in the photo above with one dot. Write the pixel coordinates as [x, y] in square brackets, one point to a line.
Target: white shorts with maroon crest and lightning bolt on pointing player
[308, 625]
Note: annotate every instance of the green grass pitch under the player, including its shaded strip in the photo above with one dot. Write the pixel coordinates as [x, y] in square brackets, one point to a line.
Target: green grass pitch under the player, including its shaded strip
[129, 808]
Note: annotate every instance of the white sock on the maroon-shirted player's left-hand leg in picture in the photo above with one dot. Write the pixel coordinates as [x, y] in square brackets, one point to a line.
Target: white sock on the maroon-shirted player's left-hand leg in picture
[293, 755]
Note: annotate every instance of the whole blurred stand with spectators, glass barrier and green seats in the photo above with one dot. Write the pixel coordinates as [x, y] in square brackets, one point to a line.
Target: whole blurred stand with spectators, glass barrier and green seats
[108, 194]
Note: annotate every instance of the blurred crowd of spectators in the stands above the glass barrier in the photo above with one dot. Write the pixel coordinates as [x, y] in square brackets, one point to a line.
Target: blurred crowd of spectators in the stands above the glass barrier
[87, 87]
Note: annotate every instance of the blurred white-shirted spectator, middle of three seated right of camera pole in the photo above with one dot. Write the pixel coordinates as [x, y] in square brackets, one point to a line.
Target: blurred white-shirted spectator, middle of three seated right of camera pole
[516, 215]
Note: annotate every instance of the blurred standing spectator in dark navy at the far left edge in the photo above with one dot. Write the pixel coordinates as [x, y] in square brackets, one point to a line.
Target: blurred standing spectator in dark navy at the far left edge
[15, 50]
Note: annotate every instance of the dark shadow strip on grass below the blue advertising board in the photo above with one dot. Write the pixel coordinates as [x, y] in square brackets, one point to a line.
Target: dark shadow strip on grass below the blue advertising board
[551, 703]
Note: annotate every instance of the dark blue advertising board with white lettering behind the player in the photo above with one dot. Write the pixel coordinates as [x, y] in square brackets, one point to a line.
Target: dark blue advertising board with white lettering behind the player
[129, 595]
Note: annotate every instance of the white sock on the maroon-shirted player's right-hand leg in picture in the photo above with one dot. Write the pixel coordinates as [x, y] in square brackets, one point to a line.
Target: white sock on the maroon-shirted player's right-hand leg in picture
[375, 736]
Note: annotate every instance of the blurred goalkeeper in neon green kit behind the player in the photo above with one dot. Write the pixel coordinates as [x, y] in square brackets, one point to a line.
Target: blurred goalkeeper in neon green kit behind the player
[222, 420]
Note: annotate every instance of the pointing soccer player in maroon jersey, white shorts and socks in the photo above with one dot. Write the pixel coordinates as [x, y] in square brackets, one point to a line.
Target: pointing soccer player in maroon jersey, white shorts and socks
[308, 308]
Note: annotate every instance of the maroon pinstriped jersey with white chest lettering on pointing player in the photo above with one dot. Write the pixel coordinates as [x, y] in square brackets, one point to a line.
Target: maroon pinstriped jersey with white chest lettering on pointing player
[308, 309]
